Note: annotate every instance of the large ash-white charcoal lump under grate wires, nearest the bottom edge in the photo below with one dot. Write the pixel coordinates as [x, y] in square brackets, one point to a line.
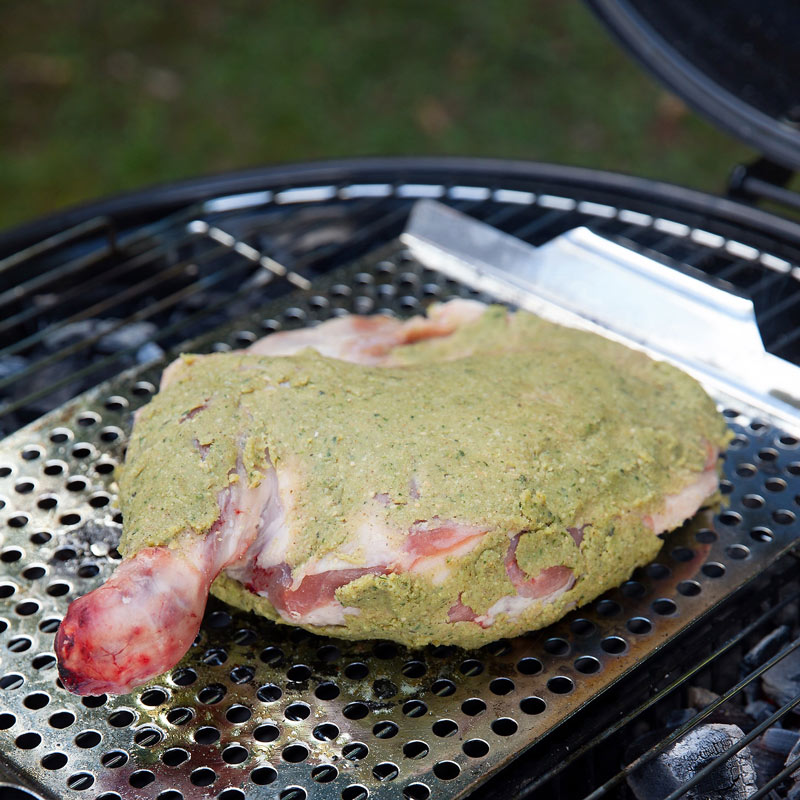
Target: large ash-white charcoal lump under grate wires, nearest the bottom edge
[734, 779]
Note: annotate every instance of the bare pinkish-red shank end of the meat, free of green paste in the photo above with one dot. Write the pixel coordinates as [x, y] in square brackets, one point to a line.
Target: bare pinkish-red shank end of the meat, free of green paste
[142, 620]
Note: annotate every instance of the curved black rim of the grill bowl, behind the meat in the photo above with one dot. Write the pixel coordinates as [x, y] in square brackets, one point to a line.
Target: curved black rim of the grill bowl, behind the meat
[141, 206]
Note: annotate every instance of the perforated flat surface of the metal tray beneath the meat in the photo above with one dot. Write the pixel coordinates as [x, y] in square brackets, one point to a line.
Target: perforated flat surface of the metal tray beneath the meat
[259, 710]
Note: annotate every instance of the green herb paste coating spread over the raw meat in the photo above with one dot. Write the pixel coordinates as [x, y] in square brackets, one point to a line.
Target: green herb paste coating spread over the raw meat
[512, 424]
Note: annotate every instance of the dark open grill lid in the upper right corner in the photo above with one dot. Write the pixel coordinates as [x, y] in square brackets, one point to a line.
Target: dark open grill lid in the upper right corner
[734, 61]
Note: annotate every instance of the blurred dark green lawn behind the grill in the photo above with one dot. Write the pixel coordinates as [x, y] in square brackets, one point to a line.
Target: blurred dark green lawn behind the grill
[102, 97]
